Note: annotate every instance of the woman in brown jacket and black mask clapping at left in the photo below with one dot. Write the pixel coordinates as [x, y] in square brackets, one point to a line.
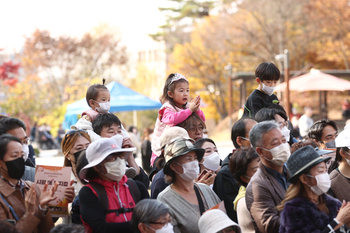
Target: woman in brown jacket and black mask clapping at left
[21, 202]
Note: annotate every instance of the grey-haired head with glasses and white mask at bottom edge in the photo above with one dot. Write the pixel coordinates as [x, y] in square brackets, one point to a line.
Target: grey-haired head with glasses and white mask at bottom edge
[151, 216]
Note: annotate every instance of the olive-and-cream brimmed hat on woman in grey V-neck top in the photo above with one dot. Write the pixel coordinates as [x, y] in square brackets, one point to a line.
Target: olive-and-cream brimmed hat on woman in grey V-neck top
[177, 148]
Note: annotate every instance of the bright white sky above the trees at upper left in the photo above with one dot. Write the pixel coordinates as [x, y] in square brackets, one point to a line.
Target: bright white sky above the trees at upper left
[134, 18]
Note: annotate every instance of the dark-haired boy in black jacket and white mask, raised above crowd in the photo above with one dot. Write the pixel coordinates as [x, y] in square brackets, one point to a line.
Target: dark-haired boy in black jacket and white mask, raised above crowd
[267, 76]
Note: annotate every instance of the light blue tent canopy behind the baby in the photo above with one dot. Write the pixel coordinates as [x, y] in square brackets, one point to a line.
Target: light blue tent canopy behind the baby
[122, 99]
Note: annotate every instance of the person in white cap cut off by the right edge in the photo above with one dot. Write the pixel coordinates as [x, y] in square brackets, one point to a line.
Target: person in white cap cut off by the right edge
[340, 168]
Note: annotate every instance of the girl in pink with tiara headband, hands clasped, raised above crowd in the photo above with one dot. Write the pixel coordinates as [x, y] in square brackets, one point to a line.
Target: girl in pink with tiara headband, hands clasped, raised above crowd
[175, 108]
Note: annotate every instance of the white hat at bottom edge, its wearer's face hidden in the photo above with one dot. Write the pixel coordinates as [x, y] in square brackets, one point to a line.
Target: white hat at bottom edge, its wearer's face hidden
[216, 221]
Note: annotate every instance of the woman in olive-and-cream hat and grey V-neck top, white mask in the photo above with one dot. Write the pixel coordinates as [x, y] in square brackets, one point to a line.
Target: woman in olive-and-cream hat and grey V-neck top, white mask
[187, 200]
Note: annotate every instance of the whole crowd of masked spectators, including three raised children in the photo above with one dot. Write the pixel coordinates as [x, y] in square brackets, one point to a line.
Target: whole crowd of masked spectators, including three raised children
[271, 182]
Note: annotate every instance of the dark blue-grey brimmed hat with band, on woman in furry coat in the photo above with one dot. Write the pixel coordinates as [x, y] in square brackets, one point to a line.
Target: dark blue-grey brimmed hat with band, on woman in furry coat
[302, 160]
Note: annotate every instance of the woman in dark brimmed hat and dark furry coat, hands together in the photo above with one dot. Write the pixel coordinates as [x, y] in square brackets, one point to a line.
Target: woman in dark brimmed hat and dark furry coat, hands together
[307, 207]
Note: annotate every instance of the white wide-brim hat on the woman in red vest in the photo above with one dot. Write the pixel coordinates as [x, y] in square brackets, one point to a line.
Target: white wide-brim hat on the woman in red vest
[99, 149]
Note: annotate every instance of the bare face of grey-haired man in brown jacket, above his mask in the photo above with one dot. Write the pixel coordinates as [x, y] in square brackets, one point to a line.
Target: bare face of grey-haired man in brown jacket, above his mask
[270, 140]
